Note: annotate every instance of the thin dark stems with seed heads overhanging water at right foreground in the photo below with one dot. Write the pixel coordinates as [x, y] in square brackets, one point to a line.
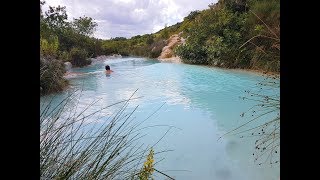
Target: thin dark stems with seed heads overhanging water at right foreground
[263, 122]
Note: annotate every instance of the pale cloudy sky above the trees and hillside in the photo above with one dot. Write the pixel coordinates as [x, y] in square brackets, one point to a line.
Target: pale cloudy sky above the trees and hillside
[127, 18]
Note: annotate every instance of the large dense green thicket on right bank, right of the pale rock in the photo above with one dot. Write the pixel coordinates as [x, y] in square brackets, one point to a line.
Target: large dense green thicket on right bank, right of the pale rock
[234, 34]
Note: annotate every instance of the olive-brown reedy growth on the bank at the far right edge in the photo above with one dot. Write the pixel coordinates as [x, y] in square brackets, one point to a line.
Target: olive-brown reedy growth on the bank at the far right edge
[263, 26]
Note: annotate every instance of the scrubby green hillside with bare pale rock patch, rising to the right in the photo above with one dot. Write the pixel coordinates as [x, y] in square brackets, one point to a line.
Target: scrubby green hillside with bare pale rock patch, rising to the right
[231, 33]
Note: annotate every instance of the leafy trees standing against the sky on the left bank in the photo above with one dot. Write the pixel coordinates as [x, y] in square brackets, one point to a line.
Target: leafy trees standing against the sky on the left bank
[70, 34]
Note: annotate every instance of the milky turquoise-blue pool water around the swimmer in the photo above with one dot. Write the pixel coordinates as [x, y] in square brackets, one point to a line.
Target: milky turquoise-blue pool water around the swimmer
[202, 103]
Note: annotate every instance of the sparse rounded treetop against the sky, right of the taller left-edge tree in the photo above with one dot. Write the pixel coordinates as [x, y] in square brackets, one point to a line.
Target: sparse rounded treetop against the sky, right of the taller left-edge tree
[84, 25]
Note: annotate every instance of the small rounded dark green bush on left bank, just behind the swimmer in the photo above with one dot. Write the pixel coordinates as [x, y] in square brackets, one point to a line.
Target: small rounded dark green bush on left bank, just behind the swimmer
[78, 57]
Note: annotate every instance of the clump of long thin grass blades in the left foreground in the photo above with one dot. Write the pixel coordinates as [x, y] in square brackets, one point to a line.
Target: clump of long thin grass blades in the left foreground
[72, 146]
